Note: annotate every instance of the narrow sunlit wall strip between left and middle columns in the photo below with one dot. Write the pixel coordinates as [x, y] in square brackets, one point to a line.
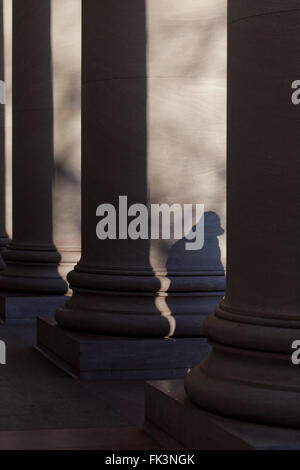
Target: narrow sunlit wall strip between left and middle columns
[66, 60]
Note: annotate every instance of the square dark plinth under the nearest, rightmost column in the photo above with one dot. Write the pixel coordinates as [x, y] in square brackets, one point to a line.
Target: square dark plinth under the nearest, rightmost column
[170, 417]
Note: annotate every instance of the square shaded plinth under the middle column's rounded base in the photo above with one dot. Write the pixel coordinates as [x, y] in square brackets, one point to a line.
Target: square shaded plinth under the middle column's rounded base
[88, 356]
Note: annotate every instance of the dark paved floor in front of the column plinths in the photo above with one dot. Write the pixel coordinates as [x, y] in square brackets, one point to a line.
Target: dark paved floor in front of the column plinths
[43, 408]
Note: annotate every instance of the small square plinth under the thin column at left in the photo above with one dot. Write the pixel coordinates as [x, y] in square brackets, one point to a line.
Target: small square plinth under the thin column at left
[15, 308]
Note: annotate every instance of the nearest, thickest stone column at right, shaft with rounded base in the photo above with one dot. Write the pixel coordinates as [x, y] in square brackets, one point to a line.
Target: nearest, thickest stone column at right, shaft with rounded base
[249, 374]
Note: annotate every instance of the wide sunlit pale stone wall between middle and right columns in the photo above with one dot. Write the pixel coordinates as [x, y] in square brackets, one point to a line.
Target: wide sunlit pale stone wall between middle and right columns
[186, 102]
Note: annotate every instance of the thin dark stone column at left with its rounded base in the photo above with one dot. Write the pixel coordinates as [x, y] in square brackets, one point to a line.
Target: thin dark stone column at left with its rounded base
[31, 257]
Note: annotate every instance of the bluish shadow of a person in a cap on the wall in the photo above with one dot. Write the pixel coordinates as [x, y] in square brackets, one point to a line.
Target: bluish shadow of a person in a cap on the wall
[197, 277]
